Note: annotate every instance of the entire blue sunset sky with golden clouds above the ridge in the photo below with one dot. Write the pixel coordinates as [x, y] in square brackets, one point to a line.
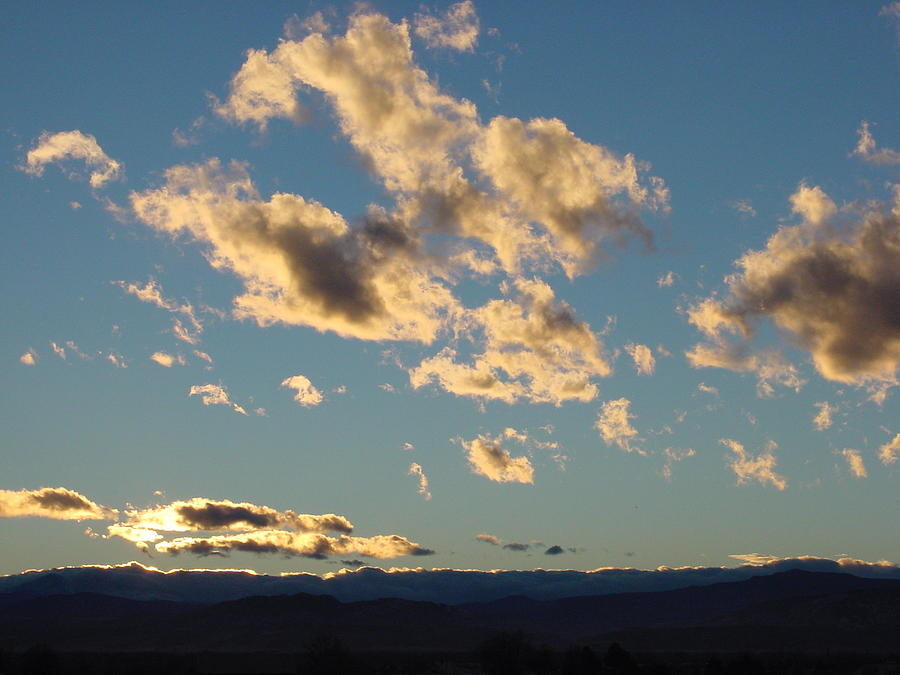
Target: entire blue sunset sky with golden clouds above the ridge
[300, 286]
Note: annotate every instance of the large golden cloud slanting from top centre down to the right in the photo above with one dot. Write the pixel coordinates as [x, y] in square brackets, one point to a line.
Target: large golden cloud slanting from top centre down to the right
[421, 143]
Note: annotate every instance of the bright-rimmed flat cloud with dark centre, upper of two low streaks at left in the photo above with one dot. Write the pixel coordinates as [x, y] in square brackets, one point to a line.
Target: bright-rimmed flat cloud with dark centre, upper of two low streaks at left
[199, 513]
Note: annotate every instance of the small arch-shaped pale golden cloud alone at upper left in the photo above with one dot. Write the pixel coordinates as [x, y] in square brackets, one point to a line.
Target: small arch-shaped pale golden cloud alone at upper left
[56, 148]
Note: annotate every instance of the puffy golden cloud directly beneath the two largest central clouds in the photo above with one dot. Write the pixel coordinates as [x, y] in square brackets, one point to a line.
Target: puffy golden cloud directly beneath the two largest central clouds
[534, 349]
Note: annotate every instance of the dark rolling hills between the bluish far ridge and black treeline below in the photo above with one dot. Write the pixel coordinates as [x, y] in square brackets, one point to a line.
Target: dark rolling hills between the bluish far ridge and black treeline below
[794, 610]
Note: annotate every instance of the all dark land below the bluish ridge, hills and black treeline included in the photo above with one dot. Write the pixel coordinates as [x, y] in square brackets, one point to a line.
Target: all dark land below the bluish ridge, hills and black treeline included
[792, 622]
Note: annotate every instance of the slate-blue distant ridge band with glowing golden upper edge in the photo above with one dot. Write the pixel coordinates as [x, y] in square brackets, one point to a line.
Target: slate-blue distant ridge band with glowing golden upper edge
[368, 583]
